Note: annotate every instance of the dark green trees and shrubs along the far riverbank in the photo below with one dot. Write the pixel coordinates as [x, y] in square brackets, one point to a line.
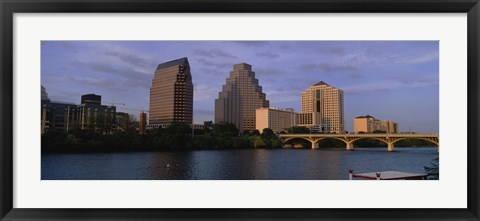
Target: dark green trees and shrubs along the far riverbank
[178, 136]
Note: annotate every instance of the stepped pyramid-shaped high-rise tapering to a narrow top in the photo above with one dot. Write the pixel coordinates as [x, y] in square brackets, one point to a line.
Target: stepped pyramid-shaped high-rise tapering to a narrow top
[240, 97]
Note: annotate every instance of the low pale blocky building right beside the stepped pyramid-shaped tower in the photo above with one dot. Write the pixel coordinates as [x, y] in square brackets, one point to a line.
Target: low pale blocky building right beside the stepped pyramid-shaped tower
[275, 118]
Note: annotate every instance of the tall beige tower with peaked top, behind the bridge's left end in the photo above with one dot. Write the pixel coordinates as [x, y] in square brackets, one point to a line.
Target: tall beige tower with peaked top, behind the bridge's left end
[328, 101]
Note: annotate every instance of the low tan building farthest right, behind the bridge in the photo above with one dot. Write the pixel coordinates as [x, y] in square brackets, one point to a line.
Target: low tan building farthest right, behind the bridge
[368, 124]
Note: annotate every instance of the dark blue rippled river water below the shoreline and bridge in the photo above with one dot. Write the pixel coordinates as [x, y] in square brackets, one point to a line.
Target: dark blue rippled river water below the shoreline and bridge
[278, 164]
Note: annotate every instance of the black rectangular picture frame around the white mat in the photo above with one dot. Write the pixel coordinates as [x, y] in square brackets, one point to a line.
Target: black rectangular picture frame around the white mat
[9, 7]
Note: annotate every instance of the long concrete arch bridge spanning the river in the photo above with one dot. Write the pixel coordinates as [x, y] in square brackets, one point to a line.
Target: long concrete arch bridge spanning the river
[348, 139]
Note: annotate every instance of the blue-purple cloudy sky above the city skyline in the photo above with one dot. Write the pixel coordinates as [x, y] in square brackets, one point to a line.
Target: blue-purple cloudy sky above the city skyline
[395, 80]
